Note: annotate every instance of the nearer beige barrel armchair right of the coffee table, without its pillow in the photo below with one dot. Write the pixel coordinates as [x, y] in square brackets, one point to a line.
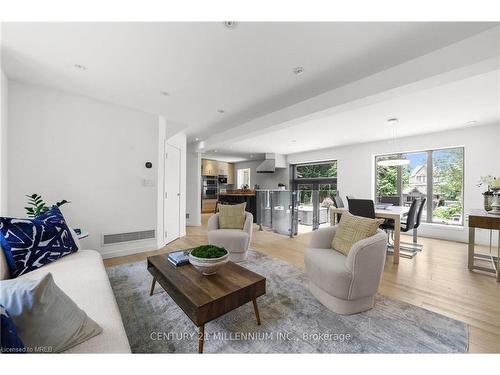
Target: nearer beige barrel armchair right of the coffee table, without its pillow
[345, 284]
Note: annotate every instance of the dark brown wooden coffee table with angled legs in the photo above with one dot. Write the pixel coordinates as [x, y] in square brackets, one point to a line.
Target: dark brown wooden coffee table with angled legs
[205, 298]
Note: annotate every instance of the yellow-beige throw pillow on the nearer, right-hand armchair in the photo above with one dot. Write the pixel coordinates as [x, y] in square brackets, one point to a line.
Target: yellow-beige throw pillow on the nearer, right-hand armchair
[353, 229]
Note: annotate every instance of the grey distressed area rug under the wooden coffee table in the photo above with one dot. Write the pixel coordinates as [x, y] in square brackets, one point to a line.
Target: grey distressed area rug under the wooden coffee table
[293, 321]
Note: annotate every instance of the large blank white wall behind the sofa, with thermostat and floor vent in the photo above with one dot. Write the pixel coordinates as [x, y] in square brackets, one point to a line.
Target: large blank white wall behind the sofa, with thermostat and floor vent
[86, 151]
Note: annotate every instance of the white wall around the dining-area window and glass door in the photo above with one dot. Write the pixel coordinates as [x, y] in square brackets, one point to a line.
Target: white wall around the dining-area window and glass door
[356, 167]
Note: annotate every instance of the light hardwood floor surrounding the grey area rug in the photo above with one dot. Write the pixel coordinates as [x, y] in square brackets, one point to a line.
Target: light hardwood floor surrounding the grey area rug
[437, 279]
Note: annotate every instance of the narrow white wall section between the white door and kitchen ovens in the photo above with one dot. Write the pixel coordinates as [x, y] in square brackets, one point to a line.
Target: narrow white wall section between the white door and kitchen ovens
[193, 185]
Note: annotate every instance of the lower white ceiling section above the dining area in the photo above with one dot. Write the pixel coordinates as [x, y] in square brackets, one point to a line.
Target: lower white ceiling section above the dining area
[449, 106]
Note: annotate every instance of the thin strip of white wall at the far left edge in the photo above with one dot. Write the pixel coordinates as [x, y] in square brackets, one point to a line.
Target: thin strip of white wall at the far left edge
[3, 142]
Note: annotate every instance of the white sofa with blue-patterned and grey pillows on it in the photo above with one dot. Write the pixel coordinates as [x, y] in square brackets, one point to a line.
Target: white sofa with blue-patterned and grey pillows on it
[82, 277]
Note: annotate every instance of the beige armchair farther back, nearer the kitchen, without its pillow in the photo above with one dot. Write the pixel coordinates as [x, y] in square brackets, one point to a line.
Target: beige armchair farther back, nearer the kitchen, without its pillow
[235, 241]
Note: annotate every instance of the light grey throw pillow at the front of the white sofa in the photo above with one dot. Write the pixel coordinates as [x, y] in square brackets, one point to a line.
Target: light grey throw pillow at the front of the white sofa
[47, 320]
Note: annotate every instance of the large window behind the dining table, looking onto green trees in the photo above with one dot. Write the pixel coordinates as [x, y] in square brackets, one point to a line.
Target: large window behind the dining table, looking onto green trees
[443, 189]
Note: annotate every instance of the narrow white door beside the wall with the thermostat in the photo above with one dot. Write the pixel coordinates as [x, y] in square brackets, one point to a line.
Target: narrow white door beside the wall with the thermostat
[172, 206]
